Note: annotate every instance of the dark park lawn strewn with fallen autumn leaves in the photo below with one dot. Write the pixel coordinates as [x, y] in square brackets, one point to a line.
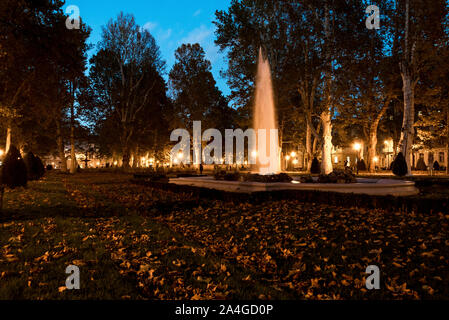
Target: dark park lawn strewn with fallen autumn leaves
[136, 242]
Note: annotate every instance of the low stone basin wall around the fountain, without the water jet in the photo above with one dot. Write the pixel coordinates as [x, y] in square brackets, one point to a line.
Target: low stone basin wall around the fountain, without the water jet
[363, 186]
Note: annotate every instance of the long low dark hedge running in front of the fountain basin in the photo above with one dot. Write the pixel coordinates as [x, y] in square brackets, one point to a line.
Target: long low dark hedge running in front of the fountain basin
[389, 203]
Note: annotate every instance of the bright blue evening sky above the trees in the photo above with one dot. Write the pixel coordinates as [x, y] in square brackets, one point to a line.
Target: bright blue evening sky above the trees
[171, 22]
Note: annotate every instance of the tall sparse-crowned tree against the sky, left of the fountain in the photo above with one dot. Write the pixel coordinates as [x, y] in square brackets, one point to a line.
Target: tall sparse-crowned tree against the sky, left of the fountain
[124, 73]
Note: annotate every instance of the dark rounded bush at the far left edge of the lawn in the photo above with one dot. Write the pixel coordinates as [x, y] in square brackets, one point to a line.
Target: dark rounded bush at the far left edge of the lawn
[14, 171]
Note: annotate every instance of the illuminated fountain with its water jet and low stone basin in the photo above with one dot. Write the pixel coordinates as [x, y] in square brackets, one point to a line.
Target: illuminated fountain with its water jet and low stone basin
[265, 118]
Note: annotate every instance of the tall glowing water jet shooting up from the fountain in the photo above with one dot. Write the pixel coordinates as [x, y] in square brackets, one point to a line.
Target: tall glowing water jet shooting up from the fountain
[265, 118]
